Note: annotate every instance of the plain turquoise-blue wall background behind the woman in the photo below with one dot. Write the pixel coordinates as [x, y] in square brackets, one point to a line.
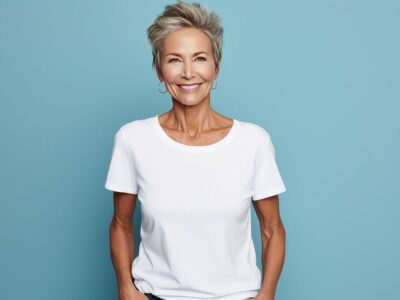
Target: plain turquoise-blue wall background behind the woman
[321, 76]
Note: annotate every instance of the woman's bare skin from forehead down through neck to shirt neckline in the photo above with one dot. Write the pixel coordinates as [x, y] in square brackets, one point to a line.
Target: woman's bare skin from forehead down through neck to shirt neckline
[191, 120]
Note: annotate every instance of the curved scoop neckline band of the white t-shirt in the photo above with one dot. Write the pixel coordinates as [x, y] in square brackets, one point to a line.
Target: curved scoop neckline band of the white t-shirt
[194, 148]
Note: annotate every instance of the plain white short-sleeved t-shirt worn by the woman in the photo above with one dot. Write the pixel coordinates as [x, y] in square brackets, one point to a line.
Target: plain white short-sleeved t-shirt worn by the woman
[195, 231]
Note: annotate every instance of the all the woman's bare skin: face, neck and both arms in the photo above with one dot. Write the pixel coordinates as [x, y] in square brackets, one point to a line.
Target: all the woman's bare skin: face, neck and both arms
[192, 121]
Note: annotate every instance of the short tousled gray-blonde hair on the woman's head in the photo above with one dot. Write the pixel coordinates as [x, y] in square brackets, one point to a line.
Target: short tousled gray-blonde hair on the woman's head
[183, 15]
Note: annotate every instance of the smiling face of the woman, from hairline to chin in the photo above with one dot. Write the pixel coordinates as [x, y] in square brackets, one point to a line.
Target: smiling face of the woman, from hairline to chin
[187, 66]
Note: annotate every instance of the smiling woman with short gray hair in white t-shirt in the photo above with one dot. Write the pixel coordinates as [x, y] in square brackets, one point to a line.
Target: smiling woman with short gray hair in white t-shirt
[194, 172]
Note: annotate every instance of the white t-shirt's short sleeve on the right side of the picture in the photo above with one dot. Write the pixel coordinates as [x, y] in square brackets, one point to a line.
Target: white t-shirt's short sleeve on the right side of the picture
[267, 179]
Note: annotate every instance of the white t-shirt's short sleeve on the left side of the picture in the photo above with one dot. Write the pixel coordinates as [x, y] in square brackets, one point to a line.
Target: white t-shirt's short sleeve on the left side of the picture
[121, 176]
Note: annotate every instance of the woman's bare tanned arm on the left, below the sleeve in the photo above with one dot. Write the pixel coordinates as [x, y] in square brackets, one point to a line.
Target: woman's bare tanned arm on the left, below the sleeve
[122, 245]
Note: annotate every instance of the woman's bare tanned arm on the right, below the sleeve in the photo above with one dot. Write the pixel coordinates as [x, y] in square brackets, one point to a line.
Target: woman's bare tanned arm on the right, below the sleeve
[273, 237]
